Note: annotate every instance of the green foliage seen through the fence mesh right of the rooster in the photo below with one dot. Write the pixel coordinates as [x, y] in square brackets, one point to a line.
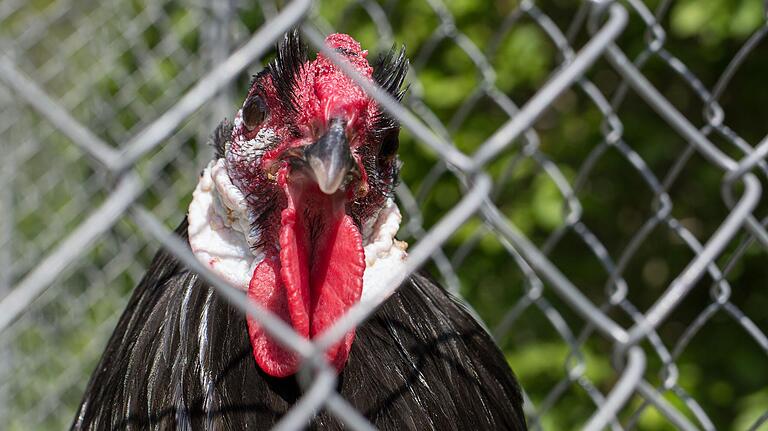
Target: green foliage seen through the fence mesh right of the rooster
[723, 369]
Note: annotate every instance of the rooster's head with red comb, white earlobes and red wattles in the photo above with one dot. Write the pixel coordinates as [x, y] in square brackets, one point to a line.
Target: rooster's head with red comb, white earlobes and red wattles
[297, 206]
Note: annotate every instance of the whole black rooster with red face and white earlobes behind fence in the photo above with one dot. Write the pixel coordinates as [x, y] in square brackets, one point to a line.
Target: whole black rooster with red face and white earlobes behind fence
[297, 210]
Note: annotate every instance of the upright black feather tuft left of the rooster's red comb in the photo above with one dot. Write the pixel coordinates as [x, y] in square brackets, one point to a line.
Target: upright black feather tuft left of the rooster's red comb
[285, 68]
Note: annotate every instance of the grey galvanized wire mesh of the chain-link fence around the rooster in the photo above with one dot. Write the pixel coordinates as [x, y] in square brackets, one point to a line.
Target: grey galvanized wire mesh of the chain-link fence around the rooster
[87, 194]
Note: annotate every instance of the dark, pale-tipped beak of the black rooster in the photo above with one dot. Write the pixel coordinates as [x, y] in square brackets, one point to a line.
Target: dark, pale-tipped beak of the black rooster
[330, 158]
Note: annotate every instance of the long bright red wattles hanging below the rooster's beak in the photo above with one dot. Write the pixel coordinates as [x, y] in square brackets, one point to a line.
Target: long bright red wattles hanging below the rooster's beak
[320, 267]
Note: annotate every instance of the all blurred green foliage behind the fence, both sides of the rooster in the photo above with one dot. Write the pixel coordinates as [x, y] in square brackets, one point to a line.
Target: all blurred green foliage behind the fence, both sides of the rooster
[722, 368]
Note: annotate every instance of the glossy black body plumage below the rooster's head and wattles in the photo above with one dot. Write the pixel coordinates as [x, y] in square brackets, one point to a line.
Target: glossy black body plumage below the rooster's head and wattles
[180, 358]
